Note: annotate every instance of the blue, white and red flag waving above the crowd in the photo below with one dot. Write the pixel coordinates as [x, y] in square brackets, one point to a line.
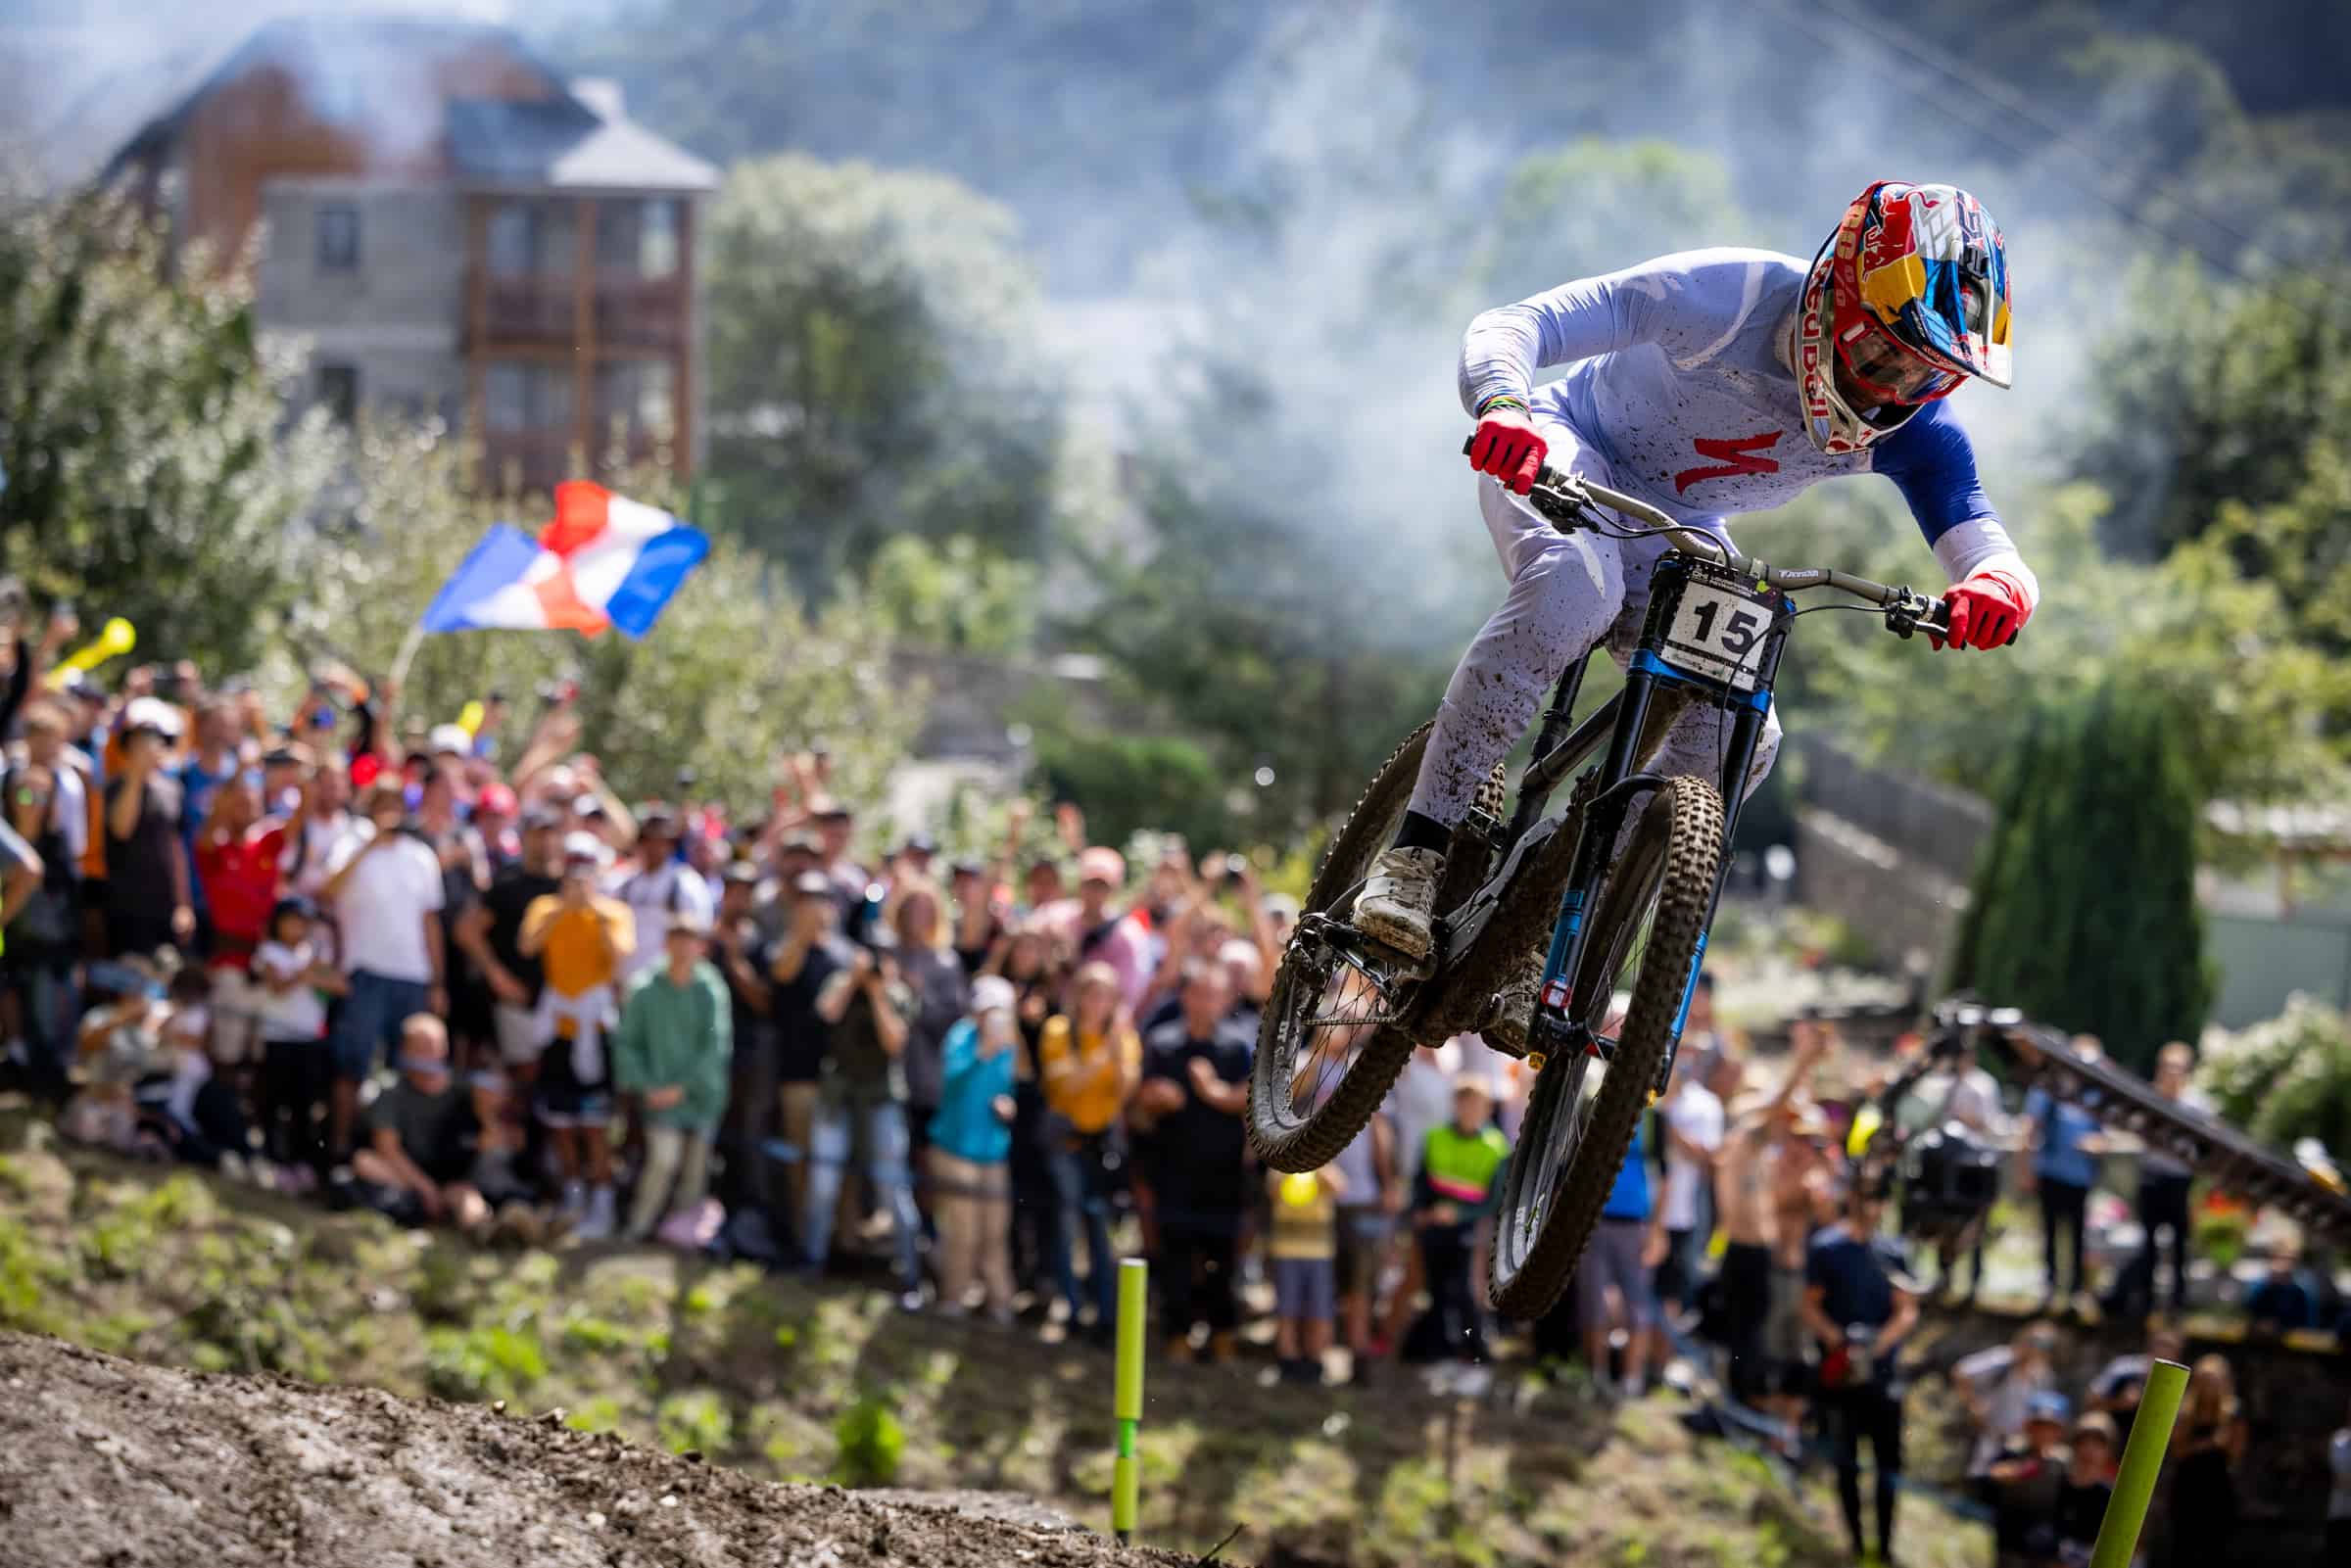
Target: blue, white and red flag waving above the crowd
[605, 561]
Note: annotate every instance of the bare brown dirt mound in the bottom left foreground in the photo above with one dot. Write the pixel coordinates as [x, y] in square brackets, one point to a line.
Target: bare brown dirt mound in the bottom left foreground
[126, 1466]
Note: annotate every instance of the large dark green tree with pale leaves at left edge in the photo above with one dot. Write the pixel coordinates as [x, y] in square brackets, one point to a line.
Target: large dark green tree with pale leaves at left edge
[140, 429]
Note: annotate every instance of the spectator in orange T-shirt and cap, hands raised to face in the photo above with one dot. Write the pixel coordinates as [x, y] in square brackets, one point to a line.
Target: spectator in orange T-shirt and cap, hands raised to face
[580, 937]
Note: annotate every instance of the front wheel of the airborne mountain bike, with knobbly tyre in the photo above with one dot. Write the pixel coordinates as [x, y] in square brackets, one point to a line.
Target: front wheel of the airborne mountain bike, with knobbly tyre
[1647, 930]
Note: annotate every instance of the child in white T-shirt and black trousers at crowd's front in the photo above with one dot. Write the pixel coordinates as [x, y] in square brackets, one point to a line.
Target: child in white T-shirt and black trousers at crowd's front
[293, 979]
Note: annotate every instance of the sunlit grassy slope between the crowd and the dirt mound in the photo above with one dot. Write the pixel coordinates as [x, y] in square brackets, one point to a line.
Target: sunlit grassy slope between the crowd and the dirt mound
[793, 1383]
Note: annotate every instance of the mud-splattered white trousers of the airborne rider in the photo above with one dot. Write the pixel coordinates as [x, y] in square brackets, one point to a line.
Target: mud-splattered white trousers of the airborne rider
[1567, 594]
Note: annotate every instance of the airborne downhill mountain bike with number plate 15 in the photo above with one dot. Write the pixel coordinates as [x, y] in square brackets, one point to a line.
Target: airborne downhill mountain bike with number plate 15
[1621, 880]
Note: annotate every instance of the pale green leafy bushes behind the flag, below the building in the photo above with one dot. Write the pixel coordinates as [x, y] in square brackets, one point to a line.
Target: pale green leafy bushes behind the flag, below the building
[732, 674]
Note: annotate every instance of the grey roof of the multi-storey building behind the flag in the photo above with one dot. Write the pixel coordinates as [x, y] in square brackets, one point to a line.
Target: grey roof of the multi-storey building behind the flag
[577, 138]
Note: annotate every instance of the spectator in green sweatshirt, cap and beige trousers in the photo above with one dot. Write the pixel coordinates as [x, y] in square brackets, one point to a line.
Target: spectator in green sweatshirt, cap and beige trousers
[674, 1047]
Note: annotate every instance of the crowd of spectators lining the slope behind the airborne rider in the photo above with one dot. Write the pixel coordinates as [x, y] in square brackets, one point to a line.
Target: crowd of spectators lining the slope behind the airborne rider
[448, 974]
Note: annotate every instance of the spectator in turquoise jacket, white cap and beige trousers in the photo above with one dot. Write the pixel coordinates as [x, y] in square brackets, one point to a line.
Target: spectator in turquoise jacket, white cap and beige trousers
[972, 1153]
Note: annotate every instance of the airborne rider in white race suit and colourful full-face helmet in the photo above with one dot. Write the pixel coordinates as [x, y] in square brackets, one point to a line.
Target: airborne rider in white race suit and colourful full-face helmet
[1689, 384]
